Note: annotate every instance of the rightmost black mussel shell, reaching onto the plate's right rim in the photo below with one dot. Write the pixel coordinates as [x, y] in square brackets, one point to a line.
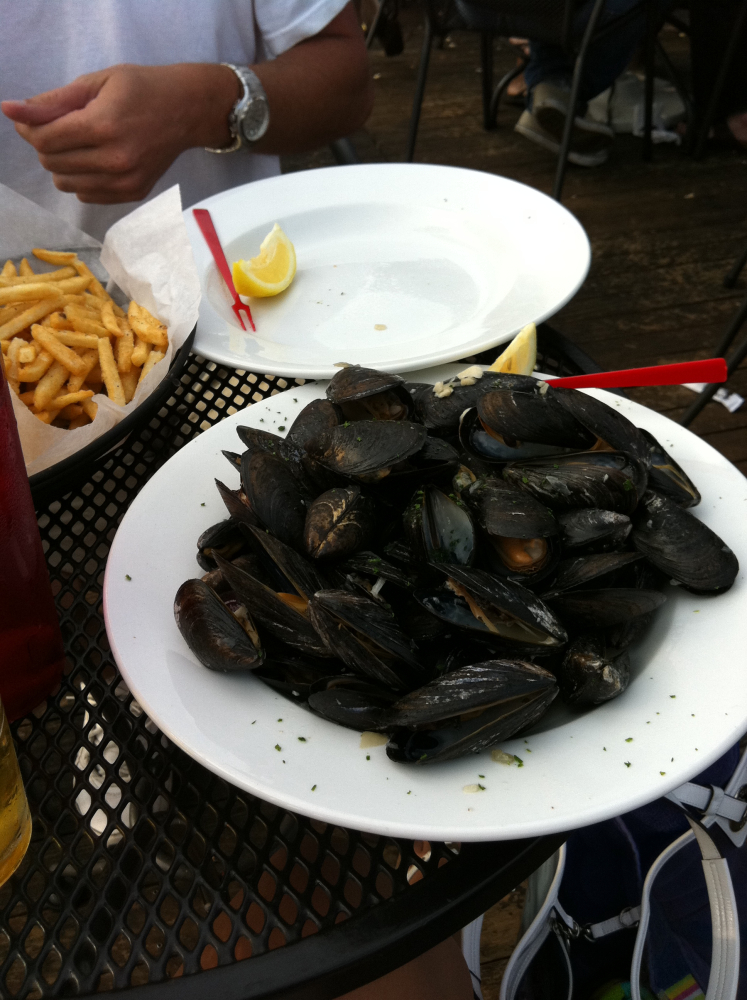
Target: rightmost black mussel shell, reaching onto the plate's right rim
[681, 546]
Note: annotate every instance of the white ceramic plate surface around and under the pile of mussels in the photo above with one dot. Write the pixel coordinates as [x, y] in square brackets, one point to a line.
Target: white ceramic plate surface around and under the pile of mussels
[686, 704]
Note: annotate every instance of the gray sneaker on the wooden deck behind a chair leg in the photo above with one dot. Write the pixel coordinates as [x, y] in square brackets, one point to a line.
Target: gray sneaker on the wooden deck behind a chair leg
[544, 124]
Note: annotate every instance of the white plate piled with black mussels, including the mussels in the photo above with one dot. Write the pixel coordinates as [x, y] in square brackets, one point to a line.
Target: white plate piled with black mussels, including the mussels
[459, 606]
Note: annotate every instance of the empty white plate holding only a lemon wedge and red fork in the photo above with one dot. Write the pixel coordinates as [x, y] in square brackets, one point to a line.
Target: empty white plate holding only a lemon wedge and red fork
[400, 266]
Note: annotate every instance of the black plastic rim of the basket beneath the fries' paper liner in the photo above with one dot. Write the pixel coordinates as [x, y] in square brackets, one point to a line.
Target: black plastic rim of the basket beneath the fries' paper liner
[61, 478]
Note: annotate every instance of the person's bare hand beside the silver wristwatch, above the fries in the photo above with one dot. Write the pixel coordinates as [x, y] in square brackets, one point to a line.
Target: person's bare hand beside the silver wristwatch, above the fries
[108, 136]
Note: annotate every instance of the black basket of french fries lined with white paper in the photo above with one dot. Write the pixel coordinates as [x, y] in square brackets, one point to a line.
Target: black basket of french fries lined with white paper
[92, 337]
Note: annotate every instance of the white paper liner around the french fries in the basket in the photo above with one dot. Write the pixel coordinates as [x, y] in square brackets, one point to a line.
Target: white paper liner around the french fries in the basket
[148, 256]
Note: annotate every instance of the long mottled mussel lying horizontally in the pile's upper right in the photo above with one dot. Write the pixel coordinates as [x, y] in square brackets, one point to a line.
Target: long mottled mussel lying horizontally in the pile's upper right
[604, 479]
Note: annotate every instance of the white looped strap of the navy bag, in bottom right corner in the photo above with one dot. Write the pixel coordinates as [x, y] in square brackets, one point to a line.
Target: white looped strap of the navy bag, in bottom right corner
[724, 977]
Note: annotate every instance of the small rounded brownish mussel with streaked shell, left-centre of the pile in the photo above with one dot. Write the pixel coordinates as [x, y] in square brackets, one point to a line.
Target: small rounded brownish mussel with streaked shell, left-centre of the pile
[338, 523]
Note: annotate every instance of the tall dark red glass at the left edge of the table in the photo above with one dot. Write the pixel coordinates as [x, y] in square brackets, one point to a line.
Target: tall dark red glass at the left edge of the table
[31, 654]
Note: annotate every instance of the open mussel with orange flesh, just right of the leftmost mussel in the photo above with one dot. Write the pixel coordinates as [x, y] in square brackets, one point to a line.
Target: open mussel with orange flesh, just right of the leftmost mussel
[283, 616]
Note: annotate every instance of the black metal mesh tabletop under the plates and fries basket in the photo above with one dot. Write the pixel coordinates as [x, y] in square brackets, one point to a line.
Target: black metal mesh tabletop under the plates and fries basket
[144, 868]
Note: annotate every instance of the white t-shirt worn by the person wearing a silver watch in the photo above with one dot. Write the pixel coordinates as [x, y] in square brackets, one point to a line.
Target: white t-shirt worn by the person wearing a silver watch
[47, 43]
